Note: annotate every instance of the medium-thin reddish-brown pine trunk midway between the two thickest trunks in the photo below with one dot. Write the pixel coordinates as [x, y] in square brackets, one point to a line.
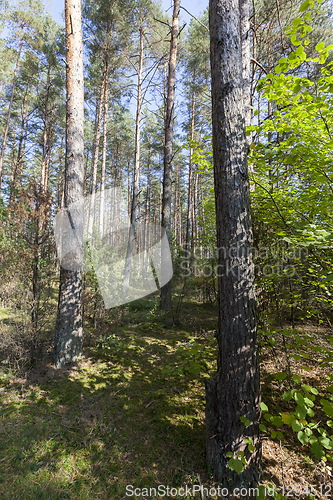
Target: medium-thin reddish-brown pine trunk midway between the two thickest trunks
[168, 145]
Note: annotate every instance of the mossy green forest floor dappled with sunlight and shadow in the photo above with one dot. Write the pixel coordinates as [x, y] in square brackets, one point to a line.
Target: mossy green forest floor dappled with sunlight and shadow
[132, 411]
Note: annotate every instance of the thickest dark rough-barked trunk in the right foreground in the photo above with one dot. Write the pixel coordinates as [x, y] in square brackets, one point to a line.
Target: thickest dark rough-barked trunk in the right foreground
[234, 392]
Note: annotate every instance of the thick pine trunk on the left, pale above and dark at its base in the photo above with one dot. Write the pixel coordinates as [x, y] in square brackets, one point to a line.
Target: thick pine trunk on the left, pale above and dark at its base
[68, 335]
